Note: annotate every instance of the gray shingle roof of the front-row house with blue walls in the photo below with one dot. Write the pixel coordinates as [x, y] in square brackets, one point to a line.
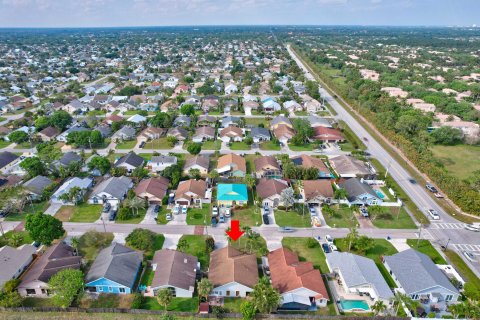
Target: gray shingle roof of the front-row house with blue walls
[116, 263]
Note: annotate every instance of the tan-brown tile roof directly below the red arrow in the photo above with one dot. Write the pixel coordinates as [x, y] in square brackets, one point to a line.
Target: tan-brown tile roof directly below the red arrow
[230, 265]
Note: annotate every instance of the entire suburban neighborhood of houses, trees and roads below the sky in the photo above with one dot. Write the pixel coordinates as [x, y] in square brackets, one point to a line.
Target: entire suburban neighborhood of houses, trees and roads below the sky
[235, 172]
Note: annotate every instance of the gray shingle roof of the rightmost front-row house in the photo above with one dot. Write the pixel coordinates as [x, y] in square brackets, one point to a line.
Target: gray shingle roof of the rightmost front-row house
[416, 272]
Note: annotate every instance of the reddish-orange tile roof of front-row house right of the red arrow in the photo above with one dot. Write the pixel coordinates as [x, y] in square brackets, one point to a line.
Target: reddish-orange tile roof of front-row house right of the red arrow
[288, 274]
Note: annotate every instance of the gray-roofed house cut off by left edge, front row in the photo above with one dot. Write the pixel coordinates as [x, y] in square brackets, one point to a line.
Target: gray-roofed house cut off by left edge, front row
[15, 261]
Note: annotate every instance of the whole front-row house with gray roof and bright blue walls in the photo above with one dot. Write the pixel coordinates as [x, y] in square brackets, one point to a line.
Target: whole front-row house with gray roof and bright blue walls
[115, 270]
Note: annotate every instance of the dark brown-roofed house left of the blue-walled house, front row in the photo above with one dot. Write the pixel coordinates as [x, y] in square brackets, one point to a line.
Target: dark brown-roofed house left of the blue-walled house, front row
[34, 282]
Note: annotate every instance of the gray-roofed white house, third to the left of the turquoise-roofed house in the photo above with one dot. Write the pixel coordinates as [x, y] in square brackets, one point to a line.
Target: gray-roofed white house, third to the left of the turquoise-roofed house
[112, 190]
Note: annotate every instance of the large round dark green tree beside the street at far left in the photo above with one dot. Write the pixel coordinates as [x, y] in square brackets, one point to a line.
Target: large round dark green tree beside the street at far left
[43, 228]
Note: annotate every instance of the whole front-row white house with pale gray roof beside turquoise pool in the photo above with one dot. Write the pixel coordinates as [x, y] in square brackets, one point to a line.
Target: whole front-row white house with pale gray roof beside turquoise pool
[359, 275]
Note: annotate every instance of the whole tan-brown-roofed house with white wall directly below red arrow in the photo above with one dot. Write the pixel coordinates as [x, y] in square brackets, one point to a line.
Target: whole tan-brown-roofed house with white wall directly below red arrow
[232, 273]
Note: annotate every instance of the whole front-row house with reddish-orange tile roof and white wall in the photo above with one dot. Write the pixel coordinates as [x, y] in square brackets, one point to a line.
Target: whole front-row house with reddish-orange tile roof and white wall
[300, 285]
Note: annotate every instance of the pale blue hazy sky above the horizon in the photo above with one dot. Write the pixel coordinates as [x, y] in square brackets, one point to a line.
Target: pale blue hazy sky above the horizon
[117, 13]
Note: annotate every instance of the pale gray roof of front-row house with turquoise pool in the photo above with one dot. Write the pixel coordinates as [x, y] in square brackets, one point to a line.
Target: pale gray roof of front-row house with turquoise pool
[357, 270]
